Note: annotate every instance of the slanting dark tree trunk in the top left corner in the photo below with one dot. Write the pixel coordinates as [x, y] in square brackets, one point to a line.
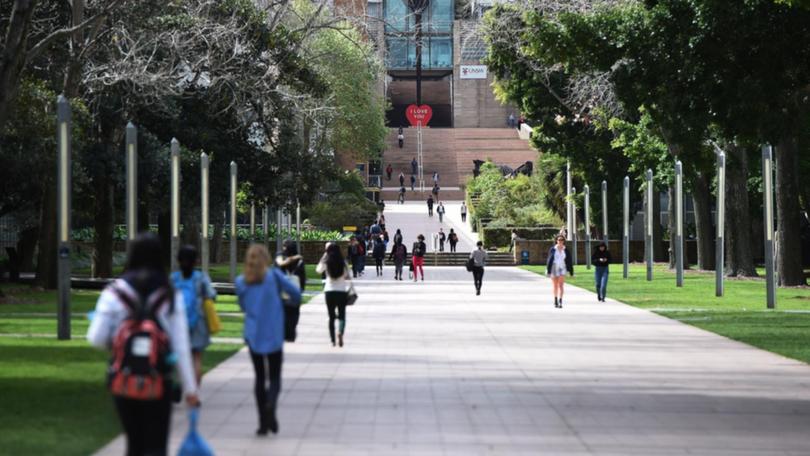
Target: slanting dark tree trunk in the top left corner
[13, 54]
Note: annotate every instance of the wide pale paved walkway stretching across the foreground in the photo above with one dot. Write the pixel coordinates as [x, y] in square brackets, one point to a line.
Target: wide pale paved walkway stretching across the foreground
[431, 369]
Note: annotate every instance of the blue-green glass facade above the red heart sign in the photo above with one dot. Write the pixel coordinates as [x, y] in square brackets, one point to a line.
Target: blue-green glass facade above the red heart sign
[437, 36]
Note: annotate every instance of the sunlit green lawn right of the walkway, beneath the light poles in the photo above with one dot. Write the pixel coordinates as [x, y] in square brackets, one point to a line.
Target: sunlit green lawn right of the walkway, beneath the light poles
[740, 315]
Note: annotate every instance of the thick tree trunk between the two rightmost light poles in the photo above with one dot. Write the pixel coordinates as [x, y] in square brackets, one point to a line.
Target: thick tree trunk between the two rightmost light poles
[738, 237]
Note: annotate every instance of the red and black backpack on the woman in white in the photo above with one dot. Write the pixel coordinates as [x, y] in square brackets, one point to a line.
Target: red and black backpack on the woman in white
[140, 348]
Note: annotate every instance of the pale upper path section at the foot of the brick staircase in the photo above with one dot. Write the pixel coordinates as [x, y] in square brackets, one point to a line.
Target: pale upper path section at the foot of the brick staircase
[412, 218]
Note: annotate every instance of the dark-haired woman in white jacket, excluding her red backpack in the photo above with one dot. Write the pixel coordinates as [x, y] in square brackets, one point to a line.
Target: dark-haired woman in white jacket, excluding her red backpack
[146, 422]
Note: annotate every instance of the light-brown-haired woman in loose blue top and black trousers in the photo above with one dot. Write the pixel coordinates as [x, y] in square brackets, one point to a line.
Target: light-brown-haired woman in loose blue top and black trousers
[259, 293]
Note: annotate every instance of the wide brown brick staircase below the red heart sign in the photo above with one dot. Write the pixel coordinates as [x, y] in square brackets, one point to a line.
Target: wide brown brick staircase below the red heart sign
[450, 152]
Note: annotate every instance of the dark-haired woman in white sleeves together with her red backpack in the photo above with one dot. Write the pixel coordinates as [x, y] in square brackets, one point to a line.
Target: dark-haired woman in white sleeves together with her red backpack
[143, 302]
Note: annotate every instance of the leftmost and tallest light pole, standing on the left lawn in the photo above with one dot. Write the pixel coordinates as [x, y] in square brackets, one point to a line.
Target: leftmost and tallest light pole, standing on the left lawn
[63, 144]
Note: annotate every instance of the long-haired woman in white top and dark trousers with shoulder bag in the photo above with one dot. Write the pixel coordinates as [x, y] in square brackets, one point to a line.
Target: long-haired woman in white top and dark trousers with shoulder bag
[335, 290]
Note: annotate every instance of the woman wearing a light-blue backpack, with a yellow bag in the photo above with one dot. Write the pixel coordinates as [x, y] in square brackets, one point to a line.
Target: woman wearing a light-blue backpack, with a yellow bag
[196, 288]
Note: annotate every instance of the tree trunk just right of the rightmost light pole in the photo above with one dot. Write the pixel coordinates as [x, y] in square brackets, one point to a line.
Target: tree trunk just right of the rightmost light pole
[788, 220]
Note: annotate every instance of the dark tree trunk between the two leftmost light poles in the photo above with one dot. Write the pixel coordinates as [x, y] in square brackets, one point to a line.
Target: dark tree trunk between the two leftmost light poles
[104, 224]
